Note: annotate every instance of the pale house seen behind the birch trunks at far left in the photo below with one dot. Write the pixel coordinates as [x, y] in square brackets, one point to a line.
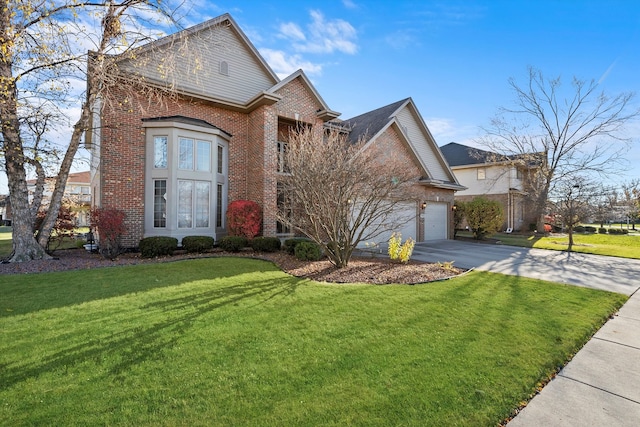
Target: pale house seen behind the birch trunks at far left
[77, 191]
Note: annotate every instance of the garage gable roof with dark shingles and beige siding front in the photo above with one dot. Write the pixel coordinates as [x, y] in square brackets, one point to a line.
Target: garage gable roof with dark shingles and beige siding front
[404, 116]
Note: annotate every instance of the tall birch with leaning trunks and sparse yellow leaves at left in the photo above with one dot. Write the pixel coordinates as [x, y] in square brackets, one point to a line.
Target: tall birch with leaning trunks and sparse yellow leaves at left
[38, 60]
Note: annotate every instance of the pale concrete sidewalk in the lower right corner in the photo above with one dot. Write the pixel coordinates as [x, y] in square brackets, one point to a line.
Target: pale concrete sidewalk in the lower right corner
[601, 385]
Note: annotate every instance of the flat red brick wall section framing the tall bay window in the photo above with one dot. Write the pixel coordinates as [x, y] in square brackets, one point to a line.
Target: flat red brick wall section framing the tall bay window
[122, 152]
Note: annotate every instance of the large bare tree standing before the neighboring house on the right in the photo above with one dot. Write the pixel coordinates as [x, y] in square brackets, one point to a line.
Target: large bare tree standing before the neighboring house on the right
[555, 134]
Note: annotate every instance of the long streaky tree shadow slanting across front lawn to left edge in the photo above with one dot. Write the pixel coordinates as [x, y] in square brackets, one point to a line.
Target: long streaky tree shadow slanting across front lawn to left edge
[119, 350]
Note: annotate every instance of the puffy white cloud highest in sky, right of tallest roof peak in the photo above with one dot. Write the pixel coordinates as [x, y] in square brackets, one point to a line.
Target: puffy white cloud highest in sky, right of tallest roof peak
[324, 36]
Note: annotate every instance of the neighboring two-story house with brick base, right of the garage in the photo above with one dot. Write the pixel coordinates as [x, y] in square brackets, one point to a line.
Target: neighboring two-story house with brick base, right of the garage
[483, 175]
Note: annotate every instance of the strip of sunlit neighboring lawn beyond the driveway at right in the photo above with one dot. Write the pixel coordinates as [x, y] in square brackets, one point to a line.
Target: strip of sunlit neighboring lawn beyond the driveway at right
[626, 246]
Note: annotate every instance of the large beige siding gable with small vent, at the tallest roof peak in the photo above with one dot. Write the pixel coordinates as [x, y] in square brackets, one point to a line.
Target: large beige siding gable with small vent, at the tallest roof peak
[194, 64]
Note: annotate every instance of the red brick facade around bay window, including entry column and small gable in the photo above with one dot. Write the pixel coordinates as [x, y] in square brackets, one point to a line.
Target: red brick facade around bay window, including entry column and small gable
[252, 150]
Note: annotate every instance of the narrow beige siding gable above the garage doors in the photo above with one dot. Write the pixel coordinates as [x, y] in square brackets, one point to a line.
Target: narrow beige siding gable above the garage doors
[422, 144]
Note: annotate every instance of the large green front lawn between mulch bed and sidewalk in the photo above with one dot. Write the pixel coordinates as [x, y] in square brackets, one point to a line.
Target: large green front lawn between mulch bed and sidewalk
[230, 341]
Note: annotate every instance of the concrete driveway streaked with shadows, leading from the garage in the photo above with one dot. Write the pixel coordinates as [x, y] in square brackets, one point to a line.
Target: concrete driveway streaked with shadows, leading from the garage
[608, 273]
